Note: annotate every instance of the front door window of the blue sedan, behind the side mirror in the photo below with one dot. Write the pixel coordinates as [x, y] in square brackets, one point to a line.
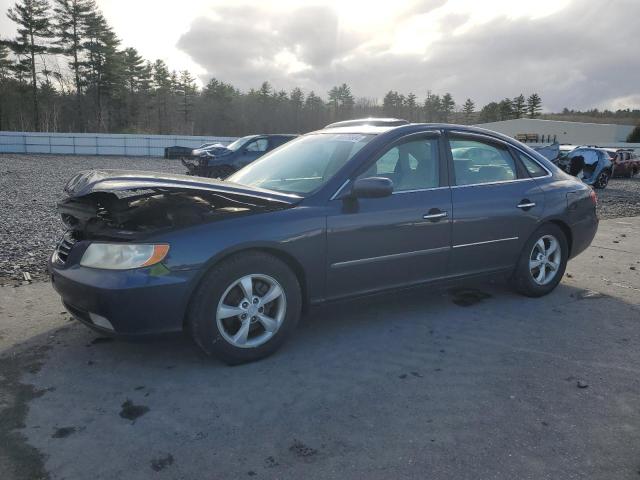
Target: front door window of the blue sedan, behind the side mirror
[412, 165]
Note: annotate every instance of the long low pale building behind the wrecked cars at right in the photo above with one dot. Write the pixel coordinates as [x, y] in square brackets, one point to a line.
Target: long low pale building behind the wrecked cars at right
[549, 131]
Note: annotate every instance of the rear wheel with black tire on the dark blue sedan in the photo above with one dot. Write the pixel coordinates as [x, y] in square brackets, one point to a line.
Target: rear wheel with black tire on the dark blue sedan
[524, 277]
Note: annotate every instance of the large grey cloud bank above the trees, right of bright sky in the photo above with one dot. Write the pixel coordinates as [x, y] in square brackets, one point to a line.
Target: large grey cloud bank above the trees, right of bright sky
[577, 57]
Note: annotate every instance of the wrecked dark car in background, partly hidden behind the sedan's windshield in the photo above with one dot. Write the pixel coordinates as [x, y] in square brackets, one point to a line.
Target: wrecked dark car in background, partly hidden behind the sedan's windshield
[219, 161]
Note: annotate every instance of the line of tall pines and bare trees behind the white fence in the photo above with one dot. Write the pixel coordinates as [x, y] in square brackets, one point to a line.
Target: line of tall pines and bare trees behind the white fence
[102, 86]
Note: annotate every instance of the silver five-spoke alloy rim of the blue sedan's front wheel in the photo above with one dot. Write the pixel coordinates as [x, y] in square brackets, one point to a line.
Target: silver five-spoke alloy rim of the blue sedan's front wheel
[251, 311]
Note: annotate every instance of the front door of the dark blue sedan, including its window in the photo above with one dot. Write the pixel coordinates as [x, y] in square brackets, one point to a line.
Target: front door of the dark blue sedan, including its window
[377, 243]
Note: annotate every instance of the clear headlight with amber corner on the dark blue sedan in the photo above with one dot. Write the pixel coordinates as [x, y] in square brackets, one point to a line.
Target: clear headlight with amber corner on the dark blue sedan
[122, 256]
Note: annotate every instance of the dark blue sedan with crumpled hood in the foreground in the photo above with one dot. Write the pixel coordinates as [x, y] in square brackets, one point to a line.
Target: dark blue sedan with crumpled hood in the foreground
[332, 214]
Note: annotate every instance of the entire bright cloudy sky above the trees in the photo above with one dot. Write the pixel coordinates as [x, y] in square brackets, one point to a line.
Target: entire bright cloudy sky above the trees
[575, 53]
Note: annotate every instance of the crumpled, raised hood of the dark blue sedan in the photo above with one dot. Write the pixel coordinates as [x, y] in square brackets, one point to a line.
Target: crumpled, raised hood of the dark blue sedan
[93, 181]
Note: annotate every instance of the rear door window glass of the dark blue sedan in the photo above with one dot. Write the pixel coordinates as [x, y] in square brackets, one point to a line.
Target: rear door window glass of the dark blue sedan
[477, 162]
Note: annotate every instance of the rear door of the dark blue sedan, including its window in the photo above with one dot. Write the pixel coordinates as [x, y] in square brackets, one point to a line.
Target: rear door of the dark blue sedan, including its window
[496, 203]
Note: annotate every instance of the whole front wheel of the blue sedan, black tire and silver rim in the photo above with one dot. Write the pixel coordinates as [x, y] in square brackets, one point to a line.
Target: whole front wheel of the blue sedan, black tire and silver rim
[221, 292]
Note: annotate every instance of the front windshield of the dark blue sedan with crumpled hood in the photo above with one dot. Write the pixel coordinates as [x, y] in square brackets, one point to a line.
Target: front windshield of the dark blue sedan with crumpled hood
[304, 164]
